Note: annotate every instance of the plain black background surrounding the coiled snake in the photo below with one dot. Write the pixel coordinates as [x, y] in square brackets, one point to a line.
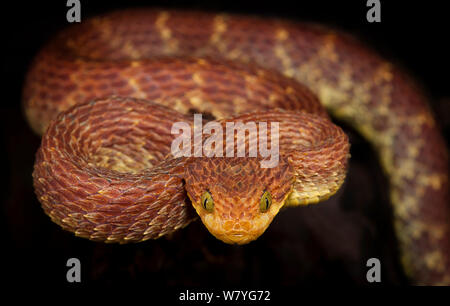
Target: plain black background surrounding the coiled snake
[327, 244]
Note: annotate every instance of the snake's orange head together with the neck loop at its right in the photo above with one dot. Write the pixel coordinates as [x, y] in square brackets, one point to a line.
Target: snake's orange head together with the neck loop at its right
[311, 167]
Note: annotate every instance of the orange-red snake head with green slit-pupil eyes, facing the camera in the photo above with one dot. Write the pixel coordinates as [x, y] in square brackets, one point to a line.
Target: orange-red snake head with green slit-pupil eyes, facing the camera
[235, 197]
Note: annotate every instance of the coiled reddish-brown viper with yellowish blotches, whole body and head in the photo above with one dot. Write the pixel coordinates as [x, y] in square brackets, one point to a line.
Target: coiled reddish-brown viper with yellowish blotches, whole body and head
[105, 93]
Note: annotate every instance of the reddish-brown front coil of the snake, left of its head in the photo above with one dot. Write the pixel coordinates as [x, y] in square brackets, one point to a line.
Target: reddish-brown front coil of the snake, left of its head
[102, 204]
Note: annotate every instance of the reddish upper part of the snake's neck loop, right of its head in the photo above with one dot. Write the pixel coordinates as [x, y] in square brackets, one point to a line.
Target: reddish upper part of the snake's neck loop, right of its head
[320, 150]
